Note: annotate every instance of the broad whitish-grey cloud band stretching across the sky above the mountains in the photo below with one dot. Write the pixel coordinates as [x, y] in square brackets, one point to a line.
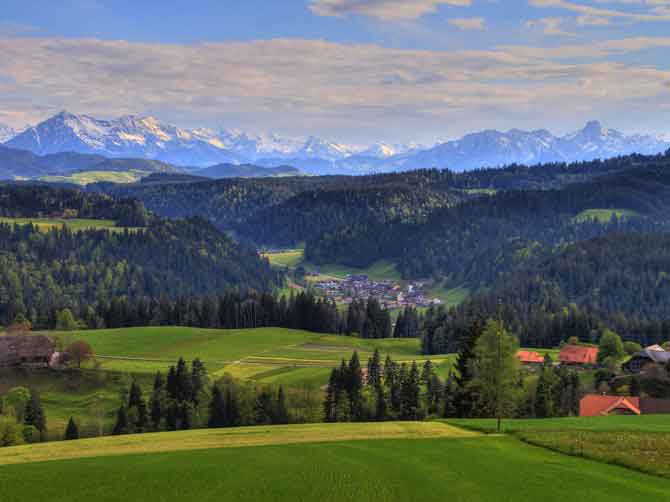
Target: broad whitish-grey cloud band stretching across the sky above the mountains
[302, 86]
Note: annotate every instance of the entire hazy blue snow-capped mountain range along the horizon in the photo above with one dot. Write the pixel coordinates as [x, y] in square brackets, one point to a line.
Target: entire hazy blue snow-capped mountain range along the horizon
[148, 138]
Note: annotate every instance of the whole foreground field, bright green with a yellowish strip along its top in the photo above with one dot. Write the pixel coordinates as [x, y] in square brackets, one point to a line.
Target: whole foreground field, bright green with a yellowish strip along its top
[425, 464]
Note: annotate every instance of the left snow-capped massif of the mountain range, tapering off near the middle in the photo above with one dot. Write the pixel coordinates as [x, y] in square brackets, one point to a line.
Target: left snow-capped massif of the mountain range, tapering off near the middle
[146, 137]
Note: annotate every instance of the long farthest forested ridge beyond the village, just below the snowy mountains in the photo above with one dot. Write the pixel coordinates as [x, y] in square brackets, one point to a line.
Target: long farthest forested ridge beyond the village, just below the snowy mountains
[304, 207]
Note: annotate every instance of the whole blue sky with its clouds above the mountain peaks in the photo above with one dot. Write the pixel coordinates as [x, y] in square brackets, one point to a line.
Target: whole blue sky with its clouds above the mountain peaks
[356, 71]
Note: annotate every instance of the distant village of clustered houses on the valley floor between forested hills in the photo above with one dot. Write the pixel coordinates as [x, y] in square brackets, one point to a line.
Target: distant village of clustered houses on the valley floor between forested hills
[391, 294]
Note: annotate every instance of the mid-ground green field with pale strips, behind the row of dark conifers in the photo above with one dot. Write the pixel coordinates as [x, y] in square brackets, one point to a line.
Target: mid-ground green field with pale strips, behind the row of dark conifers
[268, 355]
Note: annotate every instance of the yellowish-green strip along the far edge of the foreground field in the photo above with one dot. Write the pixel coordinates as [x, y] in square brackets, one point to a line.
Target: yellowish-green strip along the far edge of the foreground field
[227, 438]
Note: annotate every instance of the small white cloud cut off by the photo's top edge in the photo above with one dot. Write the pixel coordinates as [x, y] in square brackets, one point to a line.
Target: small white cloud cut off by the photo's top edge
[388, 10]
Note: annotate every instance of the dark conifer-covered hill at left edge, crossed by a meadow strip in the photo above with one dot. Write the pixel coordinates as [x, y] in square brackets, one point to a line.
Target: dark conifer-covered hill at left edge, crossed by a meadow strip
[43, 271]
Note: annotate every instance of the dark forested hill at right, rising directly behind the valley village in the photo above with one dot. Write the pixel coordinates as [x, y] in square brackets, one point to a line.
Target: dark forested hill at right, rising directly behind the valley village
[478, 240]
